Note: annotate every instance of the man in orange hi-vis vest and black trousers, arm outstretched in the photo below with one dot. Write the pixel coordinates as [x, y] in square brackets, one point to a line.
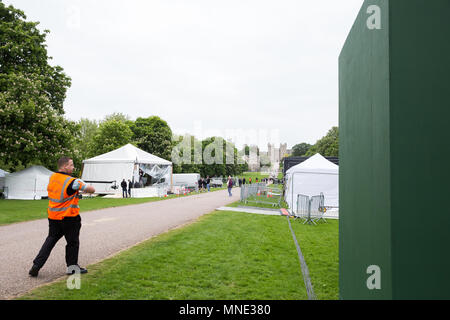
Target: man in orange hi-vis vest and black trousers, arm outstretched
[63, 216]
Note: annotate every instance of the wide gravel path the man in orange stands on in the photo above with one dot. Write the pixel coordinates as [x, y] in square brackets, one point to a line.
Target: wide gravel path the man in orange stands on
[103, 233]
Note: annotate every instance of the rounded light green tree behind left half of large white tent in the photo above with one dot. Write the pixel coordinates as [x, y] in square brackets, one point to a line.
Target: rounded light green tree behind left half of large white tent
[111, 134]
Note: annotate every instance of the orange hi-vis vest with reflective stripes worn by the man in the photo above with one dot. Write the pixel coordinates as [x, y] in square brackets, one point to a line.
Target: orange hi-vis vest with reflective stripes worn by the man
[60, 204]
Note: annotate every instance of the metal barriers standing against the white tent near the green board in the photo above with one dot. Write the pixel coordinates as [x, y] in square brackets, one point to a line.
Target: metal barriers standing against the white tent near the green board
[311, 210]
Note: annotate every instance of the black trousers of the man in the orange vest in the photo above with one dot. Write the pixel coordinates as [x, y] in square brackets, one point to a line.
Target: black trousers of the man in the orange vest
[69, 227]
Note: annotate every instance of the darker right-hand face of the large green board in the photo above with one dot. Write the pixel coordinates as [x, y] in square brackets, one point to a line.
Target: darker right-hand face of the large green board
[420, 148]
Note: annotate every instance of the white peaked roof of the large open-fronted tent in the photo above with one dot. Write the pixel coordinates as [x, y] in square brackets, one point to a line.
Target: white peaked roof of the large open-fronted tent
[127, 153]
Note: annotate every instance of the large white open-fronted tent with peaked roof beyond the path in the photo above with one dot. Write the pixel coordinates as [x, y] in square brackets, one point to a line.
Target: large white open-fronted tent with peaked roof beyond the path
[109, 169]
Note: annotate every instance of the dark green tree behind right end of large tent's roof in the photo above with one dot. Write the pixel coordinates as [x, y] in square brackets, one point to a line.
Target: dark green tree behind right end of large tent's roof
[153, 135]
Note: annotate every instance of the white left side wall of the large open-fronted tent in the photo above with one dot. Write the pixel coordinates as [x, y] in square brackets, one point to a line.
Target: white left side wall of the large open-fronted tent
[107, 172]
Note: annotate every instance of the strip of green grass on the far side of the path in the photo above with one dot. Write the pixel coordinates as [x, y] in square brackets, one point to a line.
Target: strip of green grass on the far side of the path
[12, 211]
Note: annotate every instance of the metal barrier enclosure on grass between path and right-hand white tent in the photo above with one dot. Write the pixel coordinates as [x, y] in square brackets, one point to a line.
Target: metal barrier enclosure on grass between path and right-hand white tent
[261, 193]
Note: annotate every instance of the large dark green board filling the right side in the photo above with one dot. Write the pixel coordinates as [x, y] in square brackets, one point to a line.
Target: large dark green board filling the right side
[394, 125]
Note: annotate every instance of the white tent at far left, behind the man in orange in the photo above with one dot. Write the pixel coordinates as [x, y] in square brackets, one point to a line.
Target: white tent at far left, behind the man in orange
[28, 184]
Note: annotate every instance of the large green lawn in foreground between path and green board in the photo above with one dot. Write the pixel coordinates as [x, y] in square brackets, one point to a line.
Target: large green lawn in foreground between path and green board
[224, 255]
